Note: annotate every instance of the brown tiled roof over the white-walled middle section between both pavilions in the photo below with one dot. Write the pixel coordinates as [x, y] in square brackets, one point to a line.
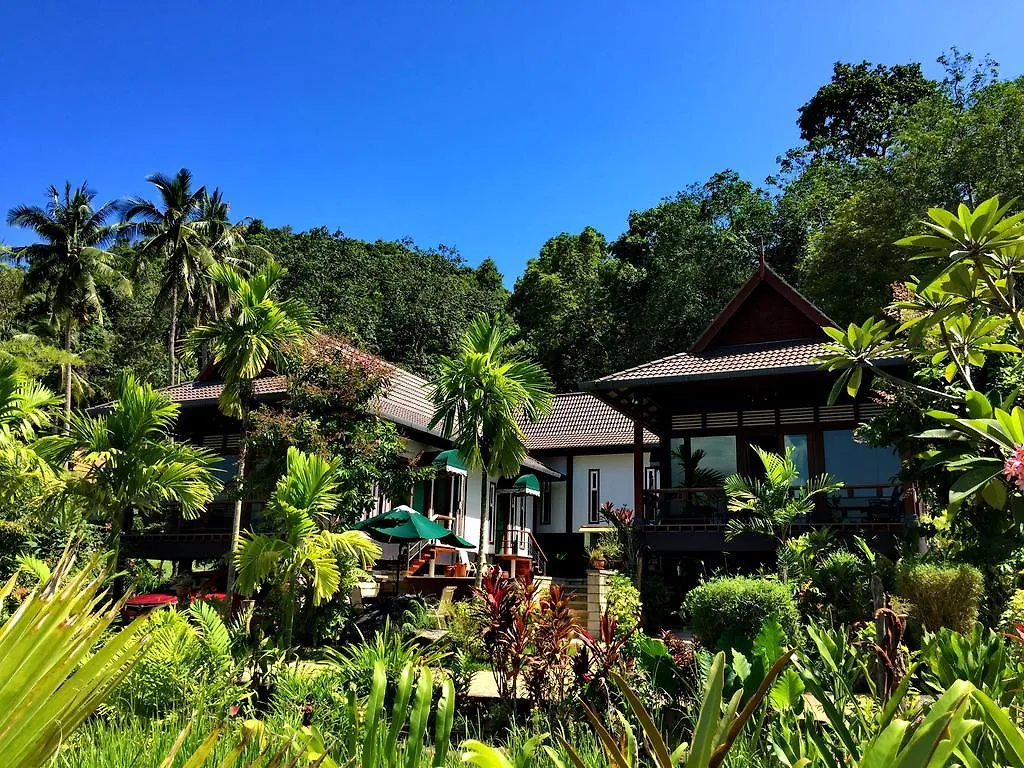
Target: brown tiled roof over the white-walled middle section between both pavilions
[579, 420]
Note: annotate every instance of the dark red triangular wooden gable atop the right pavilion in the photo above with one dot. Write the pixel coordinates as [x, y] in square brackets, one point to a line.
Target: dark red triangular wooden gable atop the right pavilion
[766, 309]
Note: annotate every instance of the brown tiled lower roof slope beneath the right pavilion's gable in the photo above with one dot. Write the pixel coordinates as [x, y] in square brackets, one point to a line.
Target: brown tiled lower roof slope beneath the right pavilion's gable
[745, 360]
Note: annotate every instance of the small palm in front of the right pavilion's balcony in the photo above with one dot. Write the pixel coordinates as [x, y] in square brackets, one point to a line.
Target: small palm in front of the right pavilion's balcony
[770, 505]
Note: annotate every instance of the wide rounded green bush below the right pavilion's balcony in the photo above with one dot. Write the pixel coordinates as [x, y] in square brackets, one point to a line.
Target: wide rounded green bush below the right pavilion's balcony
[730, 612]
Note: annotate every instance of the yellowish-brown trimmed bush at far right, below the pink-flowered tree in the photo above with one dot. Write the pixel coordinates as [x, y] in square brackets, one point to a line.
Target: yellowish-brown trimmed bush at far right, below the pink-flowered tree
[944, 594]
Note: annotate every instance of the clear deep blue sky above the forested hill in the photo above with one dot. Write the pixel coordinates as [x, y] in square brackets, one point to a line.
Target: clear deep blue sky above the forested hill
[489, 126]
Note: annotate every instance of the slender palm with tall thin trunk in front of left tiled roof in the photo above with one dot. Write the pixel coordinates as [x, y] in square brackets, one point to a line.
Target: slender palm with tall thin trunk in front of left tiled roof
[258, 331]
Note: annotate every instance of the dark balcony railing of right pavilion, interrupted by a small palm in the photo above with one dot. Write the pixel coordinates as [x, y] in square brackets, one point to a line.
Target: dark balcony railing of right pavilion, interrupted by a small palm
[708, 507]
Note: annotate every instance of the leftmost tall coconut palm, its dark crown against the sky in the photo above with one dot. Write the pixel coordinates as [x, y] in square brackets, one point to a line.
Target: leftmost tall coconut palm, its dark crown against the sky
[70, 264]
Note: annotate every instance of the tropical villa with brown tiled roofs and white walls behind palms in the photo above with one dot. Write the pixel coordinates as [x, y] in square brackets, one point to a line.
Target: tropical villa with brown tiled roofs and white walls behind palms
[625, 439]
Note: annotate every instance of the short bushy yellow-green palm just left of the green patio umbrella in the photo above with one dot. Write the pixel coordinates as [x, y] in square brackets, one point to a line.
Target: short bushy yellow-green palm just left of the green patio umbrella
[302, 556]
